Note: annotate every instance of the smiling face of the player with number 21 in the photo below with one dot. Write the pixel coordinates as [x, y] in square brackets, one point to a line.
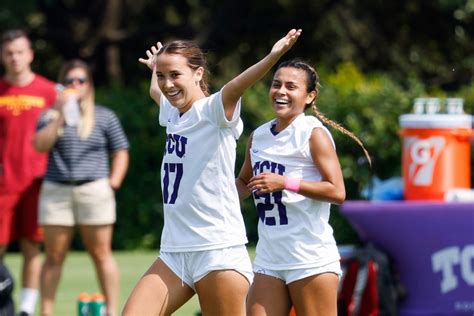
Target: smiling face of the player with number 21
[288, 93]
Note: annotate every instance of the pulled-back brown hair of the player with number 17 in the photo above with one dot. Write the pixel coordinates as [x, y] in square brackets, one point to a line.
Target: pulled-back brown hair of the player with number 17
[194, 56]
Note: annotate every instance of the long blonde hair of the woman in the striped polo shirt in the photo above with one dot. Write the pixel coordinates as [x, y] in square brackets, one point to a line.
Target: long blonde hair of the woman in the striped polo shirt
[87, 104]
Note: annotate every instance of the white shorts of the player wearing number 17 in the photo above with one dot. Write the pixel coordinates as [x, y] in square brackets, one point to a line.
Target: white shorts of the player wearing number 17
[192, 266]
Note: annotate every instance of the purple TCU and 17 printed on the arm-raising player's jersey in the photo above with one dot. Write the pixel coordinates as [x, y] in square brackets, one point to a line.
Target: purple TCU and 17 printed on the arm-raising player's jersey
[173, 172]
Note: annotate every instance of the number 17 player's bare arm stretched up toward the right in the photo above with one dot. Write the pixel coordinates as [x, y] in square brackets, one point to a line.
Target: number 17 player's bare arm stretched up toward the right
[234, 89]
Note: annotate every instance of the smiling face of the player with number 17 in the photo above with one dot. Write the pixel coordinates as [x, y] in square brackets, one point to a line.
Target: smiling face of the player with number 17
[178, 82]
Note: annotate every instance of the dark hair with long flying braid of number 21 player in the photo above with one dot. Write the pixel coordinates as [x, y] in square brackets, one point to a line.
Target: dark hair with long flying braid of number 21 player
[312, 84]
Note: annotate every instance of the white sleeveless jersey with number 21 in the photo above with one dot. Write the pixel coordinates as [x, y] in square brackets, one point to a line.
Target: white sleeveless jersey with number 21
[293, 230]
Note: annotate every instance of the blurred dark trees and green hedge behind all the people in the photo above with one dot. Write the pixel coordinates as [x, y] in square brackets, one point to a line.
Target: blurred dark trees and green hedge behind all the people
[373, 57]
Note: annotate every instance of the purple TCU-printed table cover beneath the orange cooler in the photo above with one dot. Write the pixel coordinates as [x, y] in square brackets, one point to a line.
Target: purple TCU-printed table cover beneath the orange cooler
[432, 244]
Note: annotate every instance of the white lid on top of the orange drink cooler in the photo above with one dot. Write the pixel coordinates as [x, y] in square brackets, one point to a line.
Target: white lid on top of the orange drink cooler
[436, 121]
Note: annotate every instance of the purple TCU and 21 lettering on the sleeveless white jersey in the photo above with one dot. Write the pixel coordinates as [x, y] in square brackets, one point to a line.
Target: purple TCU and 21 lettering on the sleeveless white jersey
[265, 209]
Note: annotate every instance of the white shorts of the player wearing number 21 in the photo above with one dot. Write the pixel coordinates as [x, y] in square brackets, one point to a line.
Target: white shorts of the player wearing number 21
[293, 275]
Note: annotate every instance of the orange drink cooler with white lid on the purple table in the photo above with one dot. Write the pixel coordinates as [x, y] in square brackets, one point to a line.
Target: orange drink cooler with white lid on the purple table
[436, 154]
